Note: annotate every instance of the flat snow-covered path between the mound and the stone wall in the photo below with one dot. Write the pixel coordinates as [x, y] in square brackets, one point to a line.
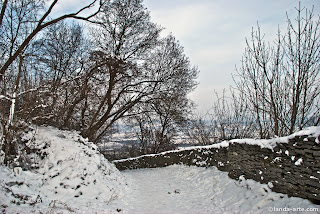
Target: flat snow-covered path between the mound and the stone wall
[184, 189]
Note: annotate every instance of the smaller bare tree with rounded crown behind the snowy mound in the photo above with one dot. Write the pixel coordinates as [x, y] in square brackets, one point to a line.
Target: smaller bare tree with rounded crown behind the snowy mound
[62, 58]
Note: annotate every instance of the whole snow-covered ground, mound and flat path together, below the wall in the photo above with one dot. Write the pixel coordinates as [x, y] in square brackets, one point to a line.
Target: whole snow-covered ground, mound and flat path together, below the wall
[73, 177]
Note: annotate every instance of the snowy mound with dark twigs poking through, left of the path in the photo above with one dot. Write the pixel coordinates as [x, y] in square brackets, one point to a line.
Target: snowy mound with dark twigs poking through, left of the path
[72, 176]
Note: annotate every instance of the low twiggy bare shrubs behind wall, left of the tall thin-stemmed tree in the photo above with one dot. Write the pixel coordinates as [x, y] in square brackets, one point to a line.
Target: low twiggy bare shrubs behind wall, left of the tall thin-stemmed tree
[229, 118]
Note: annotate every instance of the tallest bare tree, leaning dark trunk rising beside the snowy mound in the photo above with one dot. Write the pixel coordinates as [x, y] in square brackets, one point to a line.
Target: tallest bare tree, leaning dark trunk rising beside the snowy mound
[123, 42]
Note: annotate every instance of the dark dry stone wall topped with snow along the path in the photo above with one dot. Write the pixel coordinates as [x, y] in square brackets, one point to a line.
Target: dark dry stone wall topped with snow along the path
[292, 168]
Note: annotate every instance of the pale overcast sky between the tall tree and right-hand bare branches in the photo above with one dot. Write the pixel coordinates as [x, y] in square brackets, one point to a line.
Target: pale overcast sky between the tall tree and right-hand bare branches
[213, 34]
